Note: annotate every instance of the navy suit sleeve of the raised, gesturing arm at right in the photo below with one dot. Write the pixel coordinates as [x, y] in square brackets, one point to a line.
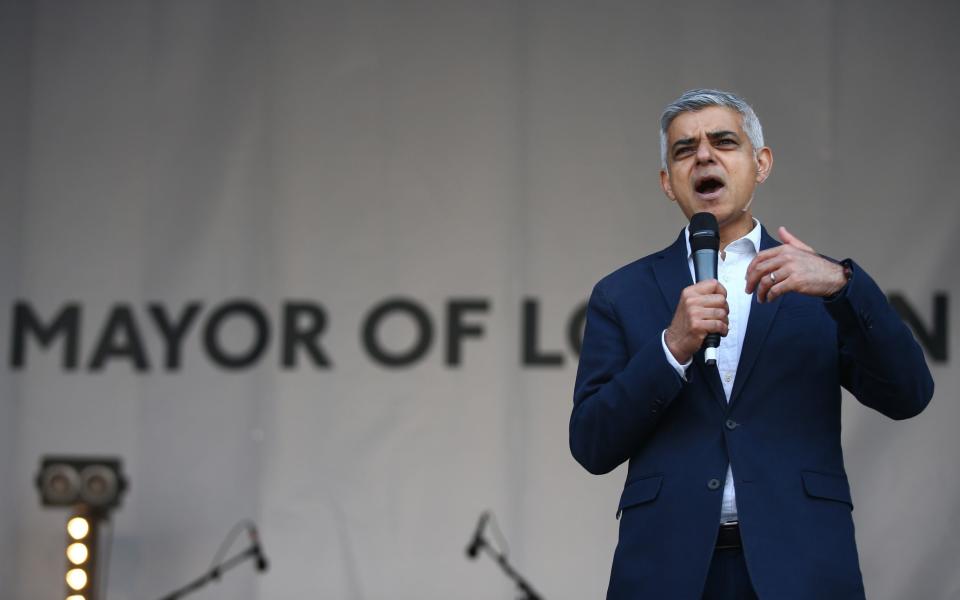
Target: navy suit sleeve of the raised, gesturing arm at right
[881, 363]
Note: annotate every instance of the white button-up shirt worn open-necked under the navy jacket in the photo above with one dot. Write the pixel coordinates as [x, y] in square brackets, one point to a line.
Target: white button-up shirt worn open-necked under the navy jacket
[732, 272]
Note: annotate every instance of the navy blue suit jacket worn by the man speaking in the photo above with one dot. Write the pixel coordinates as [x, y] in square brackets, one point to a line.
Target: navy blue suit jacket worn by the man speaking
[780, 431]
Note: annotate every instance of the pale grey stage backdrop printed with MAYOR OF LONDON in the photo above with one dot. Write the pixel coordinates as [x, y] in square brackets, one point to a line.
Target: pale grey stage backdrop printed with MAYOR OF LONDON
[323, 265]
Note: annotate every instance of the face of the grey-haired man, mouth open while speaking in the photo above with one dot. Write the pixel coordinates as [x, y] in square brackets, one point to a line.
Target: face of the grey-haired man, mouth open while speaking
[712, 167]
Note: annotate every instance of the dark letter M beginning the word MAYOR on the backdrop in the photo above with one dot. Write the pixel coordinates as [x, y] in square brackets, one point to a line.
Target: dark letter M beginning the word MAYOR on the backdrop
[26, 323]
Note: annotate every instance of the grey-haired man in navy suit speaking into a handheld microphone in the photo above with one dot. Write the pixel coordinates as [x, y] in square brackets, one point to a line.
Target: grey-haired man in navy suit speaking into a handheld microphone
[736, 486]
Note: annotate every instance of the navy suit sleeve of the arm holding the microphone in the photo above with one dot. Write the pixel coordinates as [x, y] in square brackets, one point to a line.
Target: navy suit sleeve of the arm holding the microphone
[618, 399]
